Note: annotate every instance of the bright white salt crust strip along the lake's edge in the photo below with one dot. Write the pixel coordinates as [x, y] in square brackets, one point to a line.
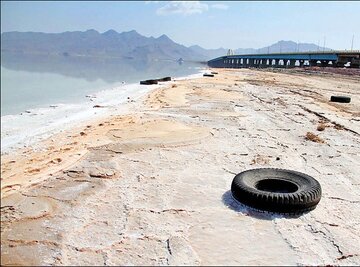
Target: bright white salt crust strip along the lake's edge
[48, 120]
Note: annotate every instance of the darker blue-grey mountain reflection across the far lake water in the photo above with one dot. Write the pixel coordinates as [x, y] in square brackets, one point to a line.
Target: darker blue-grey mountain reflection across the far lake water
[110, 70]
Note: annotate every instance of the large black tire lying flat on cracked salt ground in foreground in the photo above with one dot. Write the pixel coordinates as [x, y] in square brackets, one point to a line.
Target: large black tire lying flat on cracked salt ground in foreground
[276, 190]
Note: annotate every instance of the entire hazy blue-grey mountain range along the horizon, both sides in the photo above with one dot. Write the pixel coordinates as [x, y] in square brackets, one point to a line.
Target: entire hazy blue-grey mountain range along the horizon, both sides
[127, 45]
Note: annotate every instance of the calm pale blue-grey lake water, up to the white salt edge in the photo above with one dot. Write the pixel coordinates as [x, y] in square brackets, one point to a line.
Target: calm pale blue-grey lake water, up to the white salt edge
[29, 81]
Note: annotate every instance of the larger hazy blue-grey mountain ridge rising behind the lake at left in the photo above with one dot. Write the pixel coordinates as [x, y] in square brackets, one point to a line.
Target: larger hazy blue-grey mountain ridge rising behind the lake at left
[92, 43]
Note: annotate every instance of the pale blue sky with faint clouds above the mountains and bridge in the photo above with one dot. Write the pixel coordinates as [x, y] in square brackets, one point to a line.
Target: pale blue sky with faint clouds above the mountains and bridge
[210, 24]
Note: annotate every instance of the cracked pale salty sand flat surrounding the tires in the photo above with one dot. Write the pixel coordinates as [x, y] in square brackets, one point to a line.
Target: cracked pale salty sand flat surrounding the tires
[152, 187]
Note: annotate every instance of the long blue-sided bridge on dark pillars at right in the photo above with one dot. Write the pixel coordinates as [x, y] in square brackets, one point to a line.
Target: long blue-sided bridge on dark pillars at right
[288, 60]
